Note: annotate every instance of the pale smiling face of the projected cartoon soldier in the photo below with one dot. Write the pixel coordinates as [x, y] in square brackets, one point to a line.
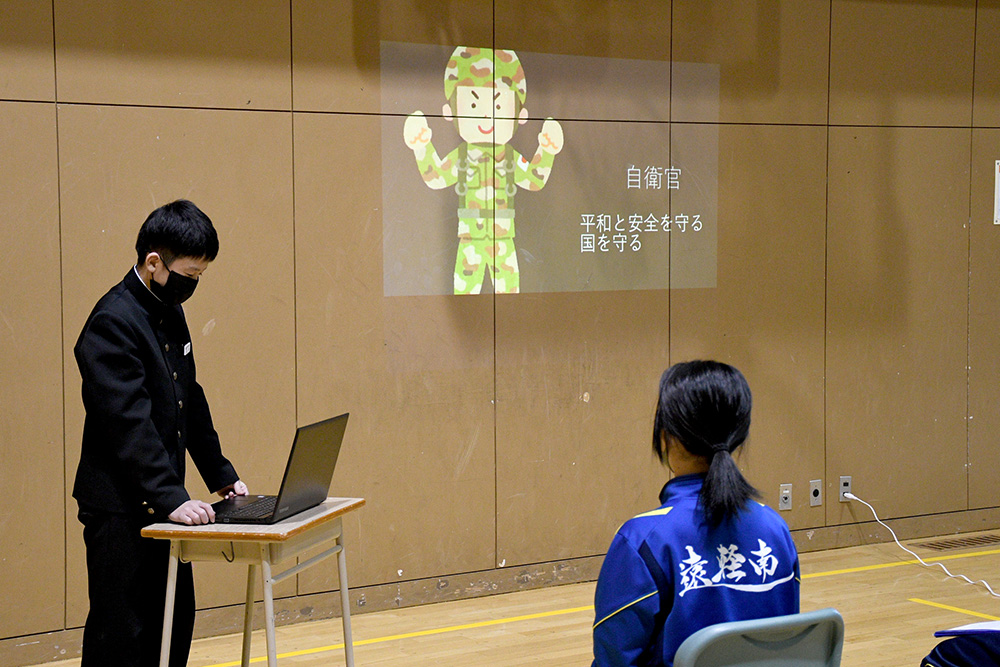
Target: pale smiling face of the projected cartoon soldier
[486, 115]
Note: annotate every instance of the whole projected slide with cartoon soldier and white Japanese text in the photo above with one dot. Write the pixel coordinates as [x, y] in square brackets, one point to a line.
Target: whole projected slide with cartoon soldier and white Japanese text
[573, 187]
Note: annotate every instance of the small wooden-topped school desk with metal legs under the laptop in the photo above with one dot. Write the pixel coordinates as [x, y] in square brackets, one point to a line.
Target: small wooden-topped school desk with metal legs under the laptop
[262, 546]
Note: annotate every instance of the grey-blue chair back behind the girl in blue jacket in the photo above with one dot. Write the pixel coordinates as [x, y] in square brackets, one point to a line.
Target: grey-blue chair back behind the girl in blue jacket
[812, 639]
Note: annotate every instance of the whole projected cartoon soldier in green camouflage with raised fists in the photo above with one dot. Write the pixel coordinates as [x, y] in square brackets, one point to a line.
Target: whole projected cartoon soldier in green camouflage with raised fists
[485, 89]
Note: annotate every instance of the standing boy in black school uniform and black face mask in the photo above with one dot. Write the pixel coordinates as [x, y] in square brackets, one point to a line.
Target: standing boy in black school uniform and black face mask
[145, 409]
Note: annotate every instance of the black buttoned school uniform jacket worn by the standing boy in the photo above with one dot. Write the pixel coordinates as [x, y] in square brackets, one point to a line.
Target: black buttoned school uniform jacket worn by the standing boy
[144, 408]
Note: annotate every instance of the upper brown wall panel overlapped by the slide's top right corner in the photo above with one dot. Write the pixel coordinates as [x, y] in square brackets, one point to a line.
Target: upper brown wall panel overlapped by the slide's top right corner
[773, 58]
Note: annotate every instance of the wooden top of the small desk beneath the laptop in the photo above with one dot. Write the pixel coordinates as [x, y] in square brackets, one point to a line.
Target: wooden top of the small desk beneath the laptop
[328, 510]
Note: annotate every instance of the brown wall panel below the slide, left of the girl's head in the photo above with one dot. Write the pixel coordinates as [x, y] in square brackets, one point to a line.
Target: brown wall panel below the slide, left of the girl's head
[576, 378]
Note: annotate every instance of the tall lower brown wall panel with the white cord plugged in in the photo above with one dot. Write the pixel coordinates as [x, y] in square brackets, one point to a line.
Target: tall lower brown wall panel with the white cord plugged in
[897, 310]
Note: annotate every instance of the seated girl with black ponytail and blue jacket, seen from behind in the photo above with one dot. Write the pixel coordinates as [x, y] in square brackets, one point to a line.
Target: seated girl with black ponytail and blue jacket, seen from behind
[710, 553]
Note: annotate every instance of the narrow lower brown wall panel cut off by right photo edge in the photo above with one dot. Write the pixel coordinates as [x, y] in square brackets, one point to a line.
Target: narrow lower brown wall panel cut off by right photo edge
[984, 313]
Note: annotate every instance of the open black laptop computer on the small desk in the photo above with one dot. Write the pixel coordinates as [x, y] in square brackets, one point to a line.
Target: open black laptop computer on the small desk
[306, 483]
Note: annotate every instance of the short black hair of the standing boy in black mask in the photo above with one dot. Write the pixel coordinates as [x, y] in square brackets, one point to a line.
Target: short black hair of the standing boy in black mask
[177, 229]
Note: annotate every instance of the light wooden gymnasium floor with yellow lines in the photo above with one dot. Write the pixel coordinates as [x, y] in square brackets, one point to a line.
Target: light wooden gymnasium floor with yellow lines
[891, 608]
